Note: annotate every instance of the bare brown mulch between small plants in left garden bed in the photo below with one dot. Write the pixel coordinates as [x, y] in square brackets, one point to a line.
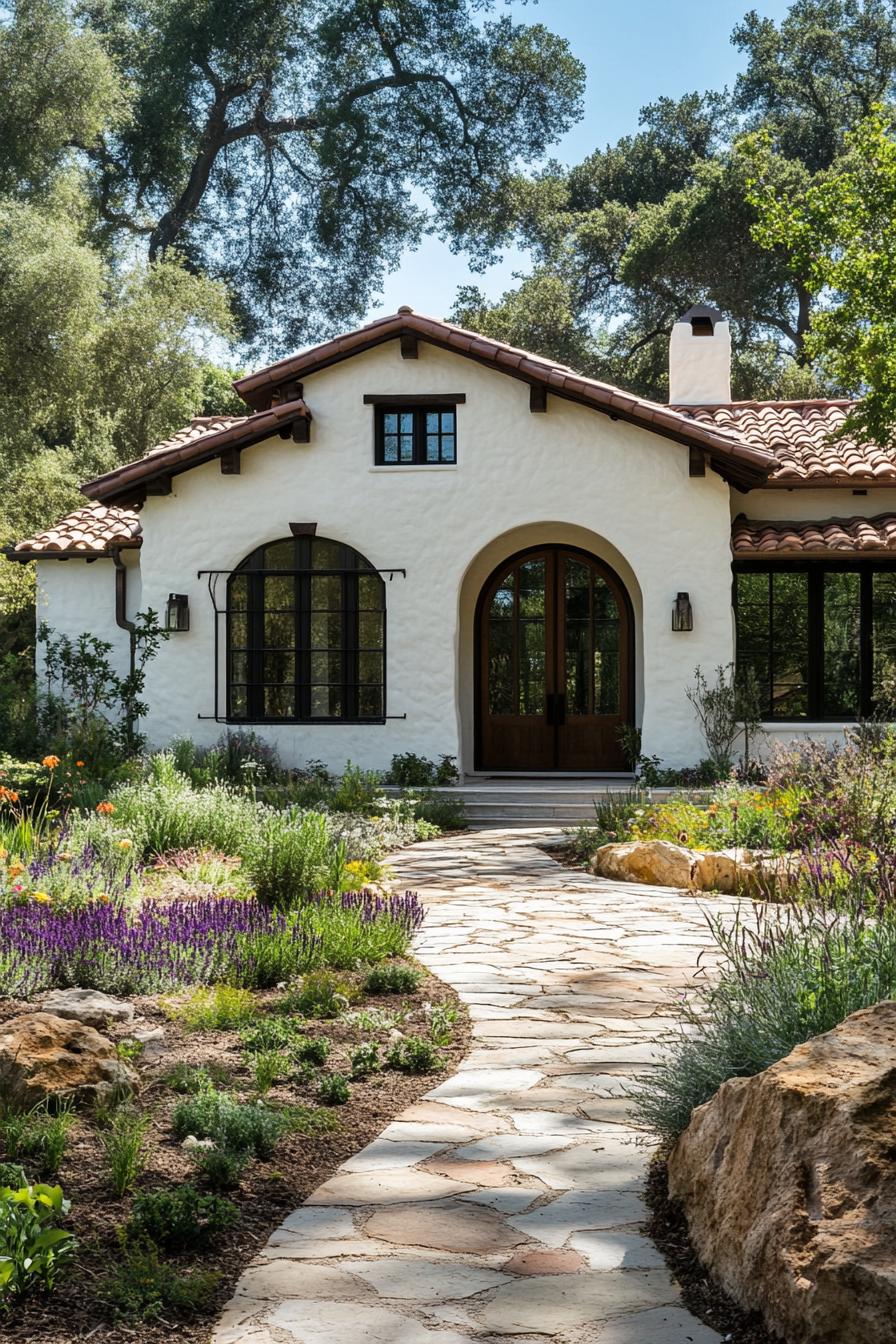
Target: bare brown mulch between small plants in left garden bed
[268, 1193]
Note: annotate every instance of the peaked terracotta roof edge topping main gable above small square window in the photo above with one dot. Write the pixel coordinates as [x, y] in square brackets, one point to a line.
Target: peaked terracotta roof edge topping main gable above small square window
[735, 458]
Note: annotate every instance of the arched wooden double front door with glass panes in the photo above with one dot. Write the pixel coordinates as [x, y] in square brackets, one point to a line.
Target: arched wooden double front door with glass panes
[555, 661]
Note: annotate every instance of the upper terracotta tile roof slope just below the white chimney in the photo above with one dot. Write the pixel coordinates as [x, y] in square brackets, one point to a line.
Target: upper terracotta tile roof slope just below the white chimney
[801, 437]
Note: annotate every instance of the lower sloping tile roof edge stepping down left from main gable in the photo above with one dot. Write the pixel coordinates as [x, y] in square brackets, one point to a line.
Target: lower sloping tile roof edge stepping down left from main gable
[204, 439]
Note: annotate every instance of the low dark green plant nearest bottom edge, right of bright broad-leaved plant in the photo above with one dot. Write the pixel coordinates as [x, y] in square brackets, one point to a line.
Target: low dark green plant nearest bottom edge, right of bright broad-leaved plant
[144, 1288]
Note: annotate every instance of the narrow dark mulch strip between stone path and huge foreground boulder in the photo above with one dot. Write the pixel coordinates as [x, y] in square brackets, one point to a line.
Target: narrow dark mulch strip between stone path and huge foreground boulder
[701, 1295]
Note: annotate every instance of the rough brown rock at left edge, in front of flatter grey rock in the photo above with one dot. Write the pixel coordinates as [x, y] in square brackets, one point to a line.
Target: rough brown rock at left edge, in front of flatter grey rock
[44, 1057]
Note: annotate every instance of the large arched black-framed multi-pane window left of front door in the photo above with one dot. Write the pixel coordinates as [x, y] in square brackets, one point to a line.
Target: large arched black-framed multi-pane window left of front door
[306, 635]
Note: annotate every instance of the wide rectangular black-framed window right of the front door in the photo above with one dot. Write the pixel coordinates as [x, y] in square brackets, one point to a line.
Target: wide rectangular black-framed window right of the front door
[820, 638]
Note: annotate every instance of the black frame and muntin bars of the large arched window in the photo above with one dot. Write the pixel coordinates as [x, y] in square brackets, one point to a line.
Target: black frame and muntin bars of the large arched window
[351, 569]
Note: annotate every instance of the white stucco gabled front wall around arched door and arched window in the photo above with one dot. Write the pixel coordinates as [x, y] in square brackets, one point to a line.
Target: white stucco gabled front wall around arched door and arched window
[625, 493]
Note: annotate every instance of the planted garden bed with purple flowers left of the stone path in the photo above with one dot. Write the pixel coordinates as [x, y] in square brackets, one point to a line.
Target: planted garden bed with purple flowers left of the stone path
[245, 1018]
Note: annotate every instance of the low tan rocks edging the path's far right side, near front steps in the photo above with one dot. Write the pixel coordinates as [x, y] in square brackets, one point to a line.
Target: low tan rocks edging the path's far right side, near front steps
[667, 865]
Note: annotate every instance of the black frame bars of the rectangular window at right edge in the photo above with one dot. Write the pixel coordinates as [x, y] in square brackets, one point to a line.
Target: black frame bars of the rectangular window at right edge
[816, 572]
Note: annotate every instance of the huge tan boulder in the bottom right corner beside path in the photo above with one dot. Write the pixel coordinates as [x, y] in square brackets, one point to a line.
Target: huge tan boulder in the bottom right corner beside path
[789, 1185]
